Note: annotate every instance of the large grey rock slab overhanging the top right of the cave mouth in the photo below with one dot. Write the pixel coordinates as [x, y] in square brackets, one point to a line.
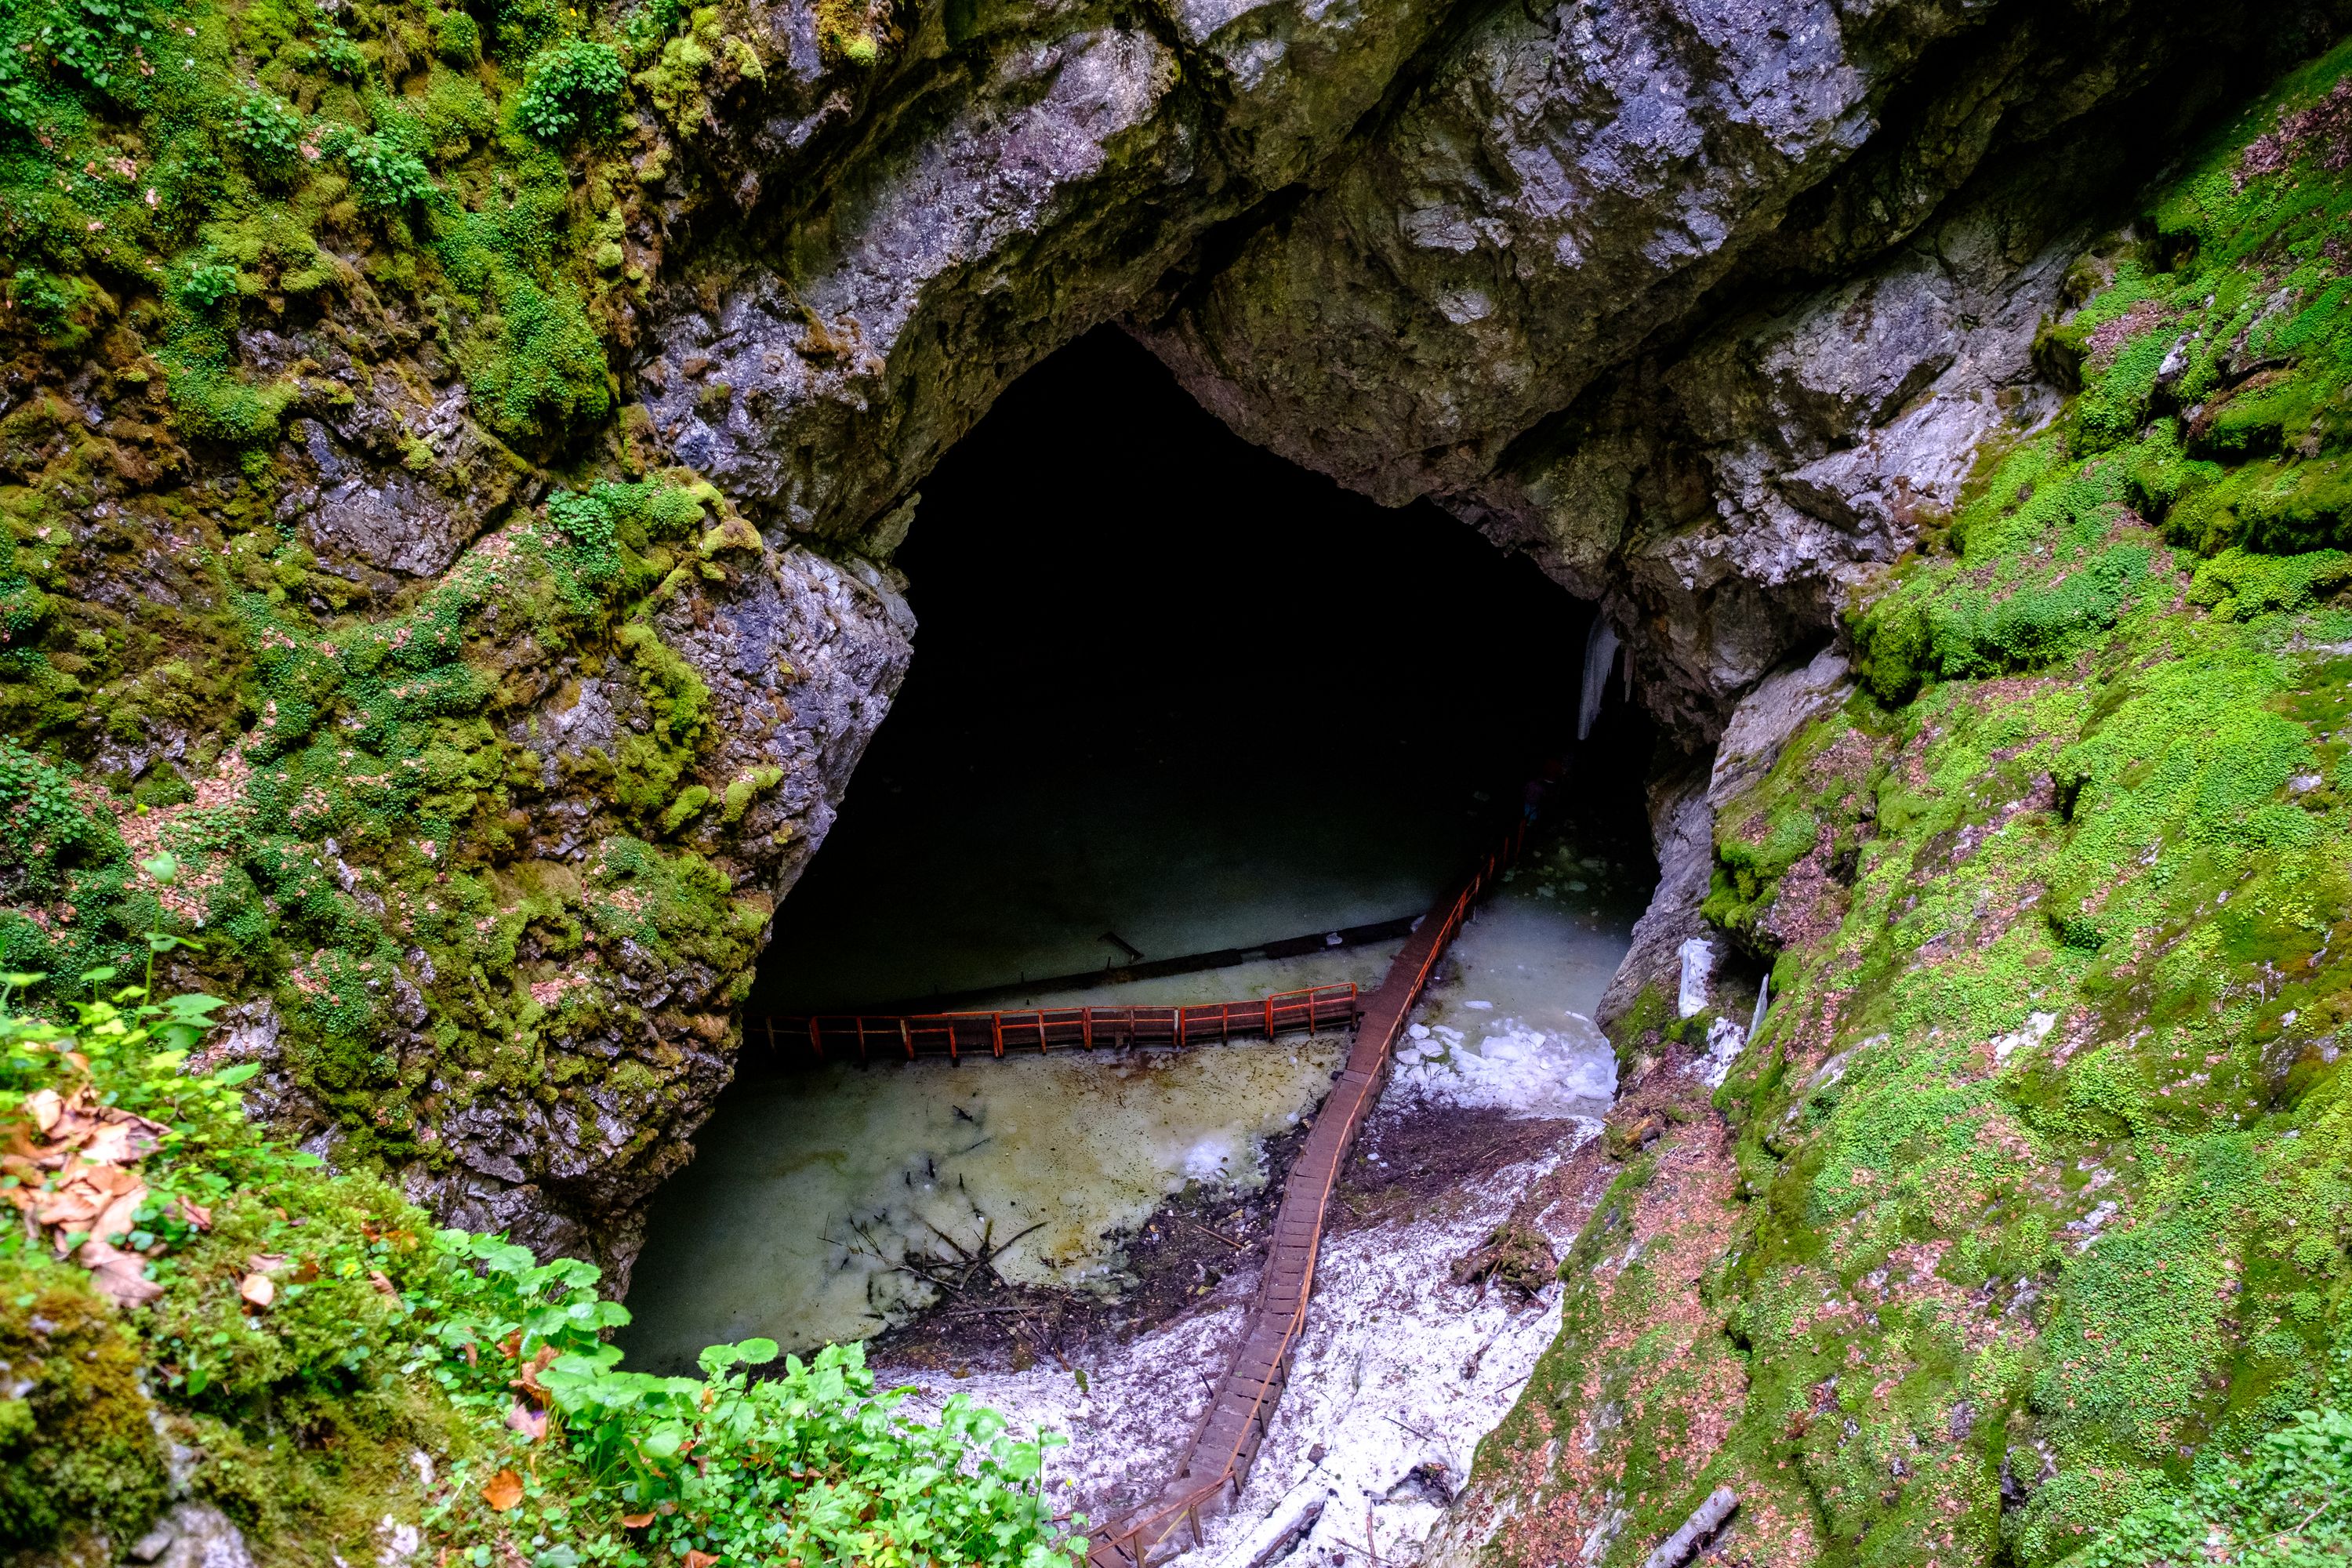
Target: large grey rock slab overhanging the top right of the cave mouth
[1570, 180]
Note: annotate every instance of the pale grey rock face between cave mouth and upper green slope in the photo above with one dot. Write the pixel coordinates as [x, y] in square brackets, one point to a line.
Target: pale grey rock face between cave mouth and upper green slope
[1810, 448]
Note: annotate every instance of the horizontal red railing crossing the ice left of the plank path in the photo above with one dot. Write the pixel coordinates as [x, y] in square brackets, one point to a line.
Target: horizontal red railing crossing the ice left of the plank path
[864, 1038]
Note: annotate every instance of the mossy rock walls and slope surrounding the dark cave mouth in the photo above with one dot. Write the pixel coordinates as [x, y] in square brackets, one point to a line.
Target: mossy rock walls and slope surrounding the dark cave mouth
[453, 457]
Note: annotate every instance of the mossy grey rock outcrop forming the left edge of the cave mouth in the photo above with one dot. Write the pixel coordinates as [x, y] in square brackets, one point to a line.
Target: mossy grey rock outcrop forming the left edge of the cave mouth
[622, 960]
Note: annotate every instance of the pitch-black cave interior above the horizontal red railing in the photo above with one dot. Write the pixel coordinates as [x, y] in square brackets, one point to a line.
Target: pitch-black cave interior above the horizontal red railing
[1170, 695]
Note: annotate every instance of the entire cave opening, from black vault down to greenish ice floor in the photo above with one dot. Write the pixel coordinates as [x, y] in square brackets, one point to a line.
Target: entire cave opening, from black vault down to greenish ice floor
[1170, 695]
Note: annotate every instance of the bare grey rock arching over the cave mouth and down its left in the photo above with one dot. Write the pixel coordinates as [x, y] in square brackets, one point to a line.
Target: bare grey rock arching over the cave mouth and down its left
[1702, 304]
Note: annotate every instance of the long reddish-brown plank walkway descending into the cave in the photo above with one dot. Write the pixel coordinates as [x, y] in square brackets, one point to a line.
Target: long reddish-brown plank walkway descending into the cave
[1243, 1402]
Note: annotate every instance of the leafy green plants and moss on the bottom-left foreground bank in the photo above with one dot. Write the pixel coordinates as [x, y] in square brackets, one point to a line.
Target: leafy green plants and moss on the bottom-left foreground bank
[394, 1372]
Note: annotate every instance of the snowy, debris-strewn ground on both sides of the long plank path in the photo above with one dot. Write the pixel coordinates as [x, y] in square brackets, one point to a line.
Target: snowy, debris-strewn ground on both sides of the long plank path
[1490, 1120]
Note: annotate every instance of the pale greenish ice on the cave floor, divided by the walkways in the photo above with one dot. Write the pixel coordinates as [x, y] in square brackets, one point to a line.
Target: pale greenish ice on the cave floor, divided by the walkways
[836, 1202]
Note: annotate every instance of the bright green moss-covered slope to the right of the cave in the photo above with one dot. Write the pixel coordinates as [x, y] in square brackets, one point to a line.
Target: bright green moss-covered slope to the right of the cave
[2043, 1167]
